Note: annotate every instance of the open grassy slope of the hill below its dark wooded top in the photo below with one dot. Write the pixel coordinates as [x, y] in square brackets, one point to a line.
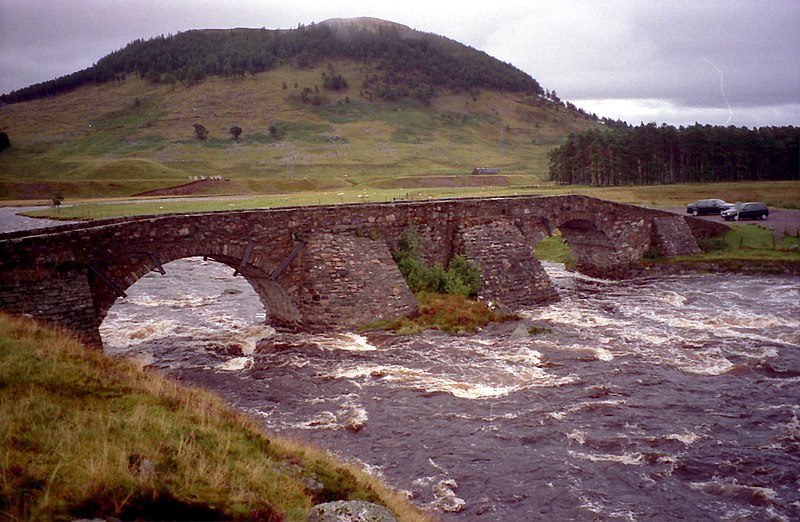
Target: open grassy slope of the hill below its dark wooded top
[129, 136]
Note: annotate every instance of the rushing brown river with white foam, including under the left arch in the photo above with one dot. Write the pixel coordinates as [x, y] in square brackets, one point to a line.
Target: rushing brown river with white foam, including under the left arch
[654, 399]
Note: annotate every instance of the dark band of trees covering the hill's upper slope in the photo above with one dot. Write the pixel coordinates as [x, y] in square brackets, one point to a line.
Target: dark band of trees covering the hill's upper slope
[406, 57]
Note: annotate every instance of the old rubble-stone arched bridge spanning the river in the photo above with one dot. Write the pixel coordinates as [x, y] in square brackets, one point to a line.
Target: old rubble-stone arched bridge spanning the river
[331, 266]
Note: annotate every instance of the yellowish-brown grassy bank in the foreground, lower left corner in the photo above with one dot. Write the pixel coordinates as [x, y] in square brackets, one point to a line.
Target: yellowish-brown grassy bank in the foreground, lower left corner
[82, 435]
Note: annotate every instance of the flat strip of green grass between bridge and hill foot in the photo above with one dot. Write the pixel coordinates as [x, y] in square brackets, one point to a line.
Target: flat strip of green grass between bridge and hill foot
[781, 194]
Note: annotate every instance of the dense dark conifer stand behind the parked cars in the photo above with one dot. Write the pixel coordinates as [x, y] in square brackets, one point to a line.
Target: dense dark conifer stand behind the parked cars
[649, 154]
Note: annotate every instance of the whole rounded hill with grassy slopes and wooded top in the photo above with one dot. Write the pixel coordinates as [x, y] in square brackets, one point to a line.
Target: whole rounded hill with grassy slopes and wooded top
[338, 104]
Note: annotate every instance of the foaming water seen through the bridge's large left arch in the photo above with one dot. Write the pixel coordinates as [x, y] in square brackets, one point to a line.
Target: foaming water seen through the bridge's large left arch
[198, 305]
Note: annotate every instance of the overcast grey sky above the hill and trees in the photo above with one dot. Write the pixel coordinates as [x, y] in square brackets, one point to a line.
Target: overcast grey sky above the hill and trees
[721, 62]
